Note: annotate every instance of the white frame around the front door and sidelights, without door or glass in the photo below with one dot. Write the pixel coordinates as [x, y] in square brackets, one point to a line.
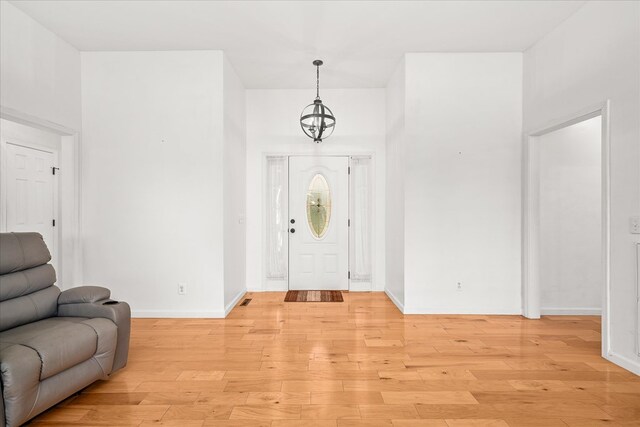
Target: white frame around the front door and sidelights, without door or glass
[271, 284]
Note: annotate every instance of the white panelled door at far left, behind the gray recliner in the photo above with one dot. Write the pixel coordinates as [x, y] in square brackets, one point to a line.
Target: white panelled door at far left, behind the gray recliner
[29, 198]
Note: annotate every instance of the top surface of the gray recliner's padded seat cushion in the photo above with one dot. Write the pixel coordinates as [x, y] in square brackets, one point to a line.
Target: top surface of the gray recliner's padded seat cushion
[60, 343]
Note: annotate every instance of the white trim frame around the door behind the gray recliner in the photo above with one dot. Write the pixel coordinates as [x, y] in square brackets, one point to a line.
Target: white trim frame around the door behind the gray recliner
[4, 143]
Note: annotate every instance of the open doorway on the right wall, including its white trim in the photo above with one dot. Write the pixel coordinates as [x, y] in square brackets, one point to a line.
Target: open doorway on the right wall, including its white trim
[566, 219]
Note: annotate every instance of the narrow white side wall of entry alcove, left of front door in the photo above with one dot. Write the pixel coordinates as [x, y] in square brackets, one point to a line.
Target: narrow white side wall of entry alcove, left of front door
[234, 192]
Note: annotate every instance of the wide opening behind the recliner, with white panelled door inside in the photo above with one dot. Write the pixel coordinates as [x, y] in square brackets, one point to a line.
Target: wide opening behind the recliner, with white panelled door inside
[37, 139]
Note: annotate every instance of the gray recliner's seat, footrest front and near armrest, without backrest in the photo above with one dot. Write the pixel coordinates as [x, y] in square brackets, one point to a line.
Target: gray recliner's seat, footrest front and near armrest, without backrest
[25, 391]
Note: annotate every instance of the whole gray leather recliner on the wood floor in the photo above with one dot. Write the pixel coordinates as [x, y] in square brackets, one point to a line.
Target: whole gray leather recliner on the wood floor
[52, 344]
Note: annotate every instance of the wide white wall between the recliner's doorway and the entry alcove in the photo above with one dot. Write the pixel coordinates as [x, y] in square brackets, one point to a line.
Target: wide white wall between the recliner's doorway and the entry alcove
[152, 179]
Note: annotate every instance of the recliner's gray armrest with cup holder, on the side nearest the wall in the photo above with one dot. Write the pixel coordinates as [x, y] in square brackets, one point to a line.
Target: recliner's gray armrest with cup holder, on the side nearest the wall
[118, 312]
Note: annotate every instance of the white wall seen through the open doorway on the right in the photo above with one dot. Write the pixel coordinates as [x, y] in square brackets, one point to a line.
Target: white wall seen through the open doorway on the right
[570, 221]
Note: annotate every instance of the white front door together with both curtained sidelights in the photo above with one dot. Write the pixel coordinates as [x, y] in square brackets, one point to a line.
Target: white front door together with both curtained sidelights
[318, 223]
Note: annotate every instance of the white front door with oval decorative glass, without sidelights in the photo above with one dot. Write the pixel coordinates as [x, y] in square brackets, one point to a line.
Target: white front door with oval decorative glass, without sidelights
[318, 223]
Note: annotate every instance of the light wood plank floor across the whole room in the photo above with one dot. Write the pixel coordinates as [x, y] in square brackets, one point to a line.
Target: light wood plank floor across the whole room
[359, 363]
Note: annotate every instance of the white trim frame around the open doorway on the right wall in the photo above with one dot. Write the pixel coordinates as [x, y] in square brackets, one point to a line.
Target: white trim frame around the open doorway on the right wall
[531, 214]
